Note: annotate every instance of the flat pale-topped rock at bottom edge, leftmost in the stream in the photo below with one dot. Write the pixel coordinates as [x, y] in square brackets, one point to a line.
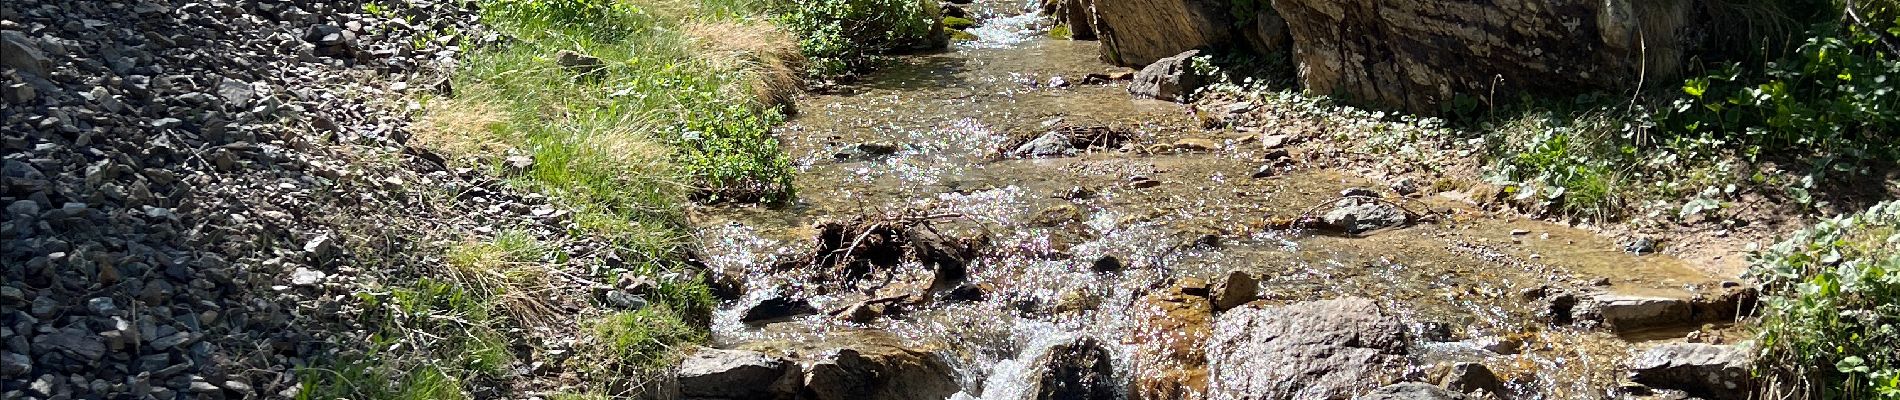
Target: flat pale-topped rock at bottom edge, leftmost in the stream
[715, 374]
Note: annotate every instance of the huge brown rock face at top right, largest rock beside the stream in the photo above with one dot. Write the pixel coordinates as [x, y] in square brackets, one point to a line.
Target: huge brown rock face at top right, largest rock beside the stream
[1418, 56]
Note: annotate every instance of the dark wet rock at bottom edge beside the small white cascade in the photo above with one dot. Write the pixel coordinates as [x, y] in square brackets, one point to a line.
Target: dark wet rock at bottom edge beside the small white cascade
[1078, 371]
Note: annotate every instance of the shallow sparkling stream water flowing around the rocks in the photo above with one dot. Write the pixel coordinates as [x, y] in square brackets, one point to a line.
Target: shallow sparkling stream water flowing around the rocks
[951, 113]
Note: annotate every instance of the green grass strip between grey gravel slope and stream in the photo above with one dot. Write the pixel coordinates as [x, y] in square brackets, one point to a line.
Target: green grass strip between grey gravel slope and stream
[679, 111]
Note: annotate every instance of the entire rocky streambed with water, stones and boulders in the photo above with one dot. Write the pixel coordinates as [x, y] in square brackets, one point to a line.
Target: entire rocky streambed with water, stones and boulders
[1004, 221]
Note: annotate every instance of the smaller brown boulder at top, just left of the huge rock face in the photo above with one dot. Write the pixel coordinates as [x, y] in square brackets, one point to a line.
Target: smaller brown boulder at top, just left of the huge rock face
[1147, 31]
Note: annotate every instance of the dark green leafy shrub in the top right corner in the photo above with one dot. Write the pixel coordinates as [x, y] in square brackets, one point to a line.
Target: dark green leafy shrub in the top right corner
[1829, 100]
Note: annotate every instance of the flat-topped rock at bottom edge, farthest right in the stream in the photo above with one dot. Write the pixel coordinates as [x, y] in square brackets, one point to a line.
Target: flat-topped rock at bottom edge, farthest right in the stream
[1717, 373]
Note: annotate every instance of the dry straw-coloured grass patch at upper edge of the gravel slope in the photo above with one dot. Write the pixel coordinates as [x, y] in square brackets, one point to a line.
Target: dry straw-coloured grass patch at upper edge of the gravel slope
[461, 128]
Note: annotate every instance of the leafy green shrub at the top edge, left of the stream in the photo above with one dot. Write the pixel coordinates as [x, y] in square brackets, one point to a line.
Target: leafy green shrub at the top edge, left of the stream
[843, 37]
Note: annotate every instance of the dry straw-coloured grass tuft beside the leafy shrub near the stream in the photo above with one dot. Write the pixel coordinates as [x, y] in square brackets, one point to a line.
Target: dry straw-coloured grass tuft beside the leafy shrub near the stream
[769, 56]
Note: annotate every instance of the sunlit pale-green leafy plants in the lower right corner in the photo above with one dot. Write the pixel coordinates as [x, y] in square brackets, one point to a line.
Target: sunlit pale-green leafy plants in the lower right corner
[1831, 323]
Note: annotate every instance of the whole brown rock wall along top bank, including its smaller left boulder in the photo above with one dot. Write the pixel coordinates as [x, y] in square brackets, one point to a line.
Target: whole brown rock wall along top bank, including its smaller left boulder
[1422, 56]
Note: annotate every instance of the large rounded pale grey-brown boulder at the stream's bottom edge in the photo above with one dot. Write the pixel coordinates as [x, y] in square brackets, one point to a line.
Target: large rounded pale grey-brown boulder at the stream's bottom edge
[1318, 350]
